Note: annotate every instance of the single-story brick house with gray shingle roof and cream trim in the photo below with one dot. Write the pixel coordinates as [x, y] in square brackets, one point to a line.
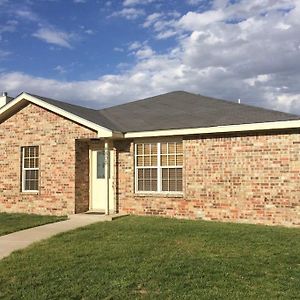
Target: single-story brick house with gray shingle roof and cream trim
[178, 154]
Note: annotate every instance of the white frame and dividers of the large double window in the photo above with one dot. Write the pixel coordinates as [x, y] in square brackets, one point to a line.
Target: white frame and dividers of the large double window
[159, 170]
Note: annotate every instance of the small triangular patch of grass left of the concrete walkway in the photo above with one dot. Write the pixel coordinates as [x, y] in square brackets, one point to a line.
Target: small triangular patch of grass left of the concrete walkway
[14, 222]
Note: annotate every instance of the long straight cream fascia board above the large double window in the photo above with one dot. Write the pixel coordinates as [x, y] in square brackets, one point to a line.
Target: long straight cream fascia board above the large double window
[216, 129]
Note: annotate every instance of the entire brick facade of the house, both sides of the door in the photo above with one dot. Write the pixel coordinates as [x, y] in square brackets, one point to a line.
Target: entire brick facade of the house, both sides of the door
[250, 178]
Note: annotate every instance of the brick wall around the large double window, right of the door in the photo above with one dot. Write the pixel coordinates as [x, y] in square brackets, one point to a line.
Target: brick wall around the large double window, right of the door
[249, 178]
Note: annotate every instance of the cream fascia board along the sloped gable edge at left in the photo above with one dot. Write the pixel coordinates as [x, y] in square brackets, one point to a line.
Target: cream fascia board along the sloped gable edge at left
[101, 131]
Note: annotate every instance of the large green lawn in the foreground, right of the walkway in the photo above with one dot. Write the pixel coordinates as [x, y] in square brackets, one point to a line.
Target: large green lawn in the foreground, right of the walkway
[156, 258]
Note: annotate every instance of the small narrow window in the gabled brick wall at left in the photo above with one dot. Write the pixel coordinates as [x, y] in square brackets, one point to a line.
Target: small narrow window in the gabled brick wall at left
[30, 169]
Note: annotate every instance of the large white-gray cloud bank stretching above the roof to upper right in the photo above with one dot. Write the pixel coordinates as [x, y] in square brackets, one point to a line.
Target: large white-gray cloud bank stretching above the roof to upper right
[248, 50]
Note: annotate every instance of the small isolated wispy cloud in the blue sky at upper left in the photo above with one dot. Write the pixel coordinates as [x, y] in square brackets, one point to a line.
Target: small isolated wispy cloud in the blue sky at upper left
[52, 36]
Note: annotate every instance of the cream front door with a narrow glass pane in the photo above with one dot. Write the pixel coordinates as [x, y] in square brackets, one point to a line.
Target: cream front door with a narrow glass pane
[101, 179]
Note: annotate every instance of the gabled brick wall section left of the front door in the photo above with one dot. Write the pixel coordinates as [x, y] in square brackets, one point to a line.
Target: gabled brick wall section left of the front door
[56, 137]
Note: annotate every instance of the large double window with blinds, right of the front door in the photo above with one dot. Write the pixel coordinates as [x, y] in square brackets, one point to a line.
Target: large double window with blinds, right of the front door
[158, 167]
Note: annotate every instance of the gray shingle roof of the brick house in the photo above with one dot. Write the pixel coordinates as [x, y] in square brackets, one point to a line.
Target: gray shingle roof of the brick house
[175, 110]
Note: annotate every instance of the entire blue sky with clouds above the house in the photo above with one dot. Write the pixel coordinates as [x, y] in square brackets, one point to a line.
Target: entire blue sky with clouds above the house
[99, 53]
